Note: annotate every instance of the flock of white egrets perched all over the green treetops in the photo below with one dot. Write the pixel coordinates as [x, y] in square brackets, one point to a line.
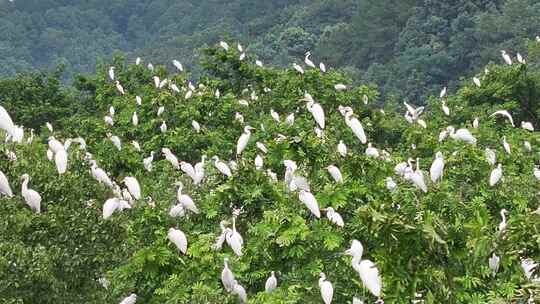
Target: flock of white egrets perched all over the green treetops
[123, 198]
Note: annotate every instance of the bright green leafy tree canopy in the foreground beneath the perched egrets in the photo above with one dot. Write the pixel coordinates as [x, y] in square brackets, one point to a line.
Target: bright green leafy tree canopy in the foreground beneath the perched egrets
[433, 246]
